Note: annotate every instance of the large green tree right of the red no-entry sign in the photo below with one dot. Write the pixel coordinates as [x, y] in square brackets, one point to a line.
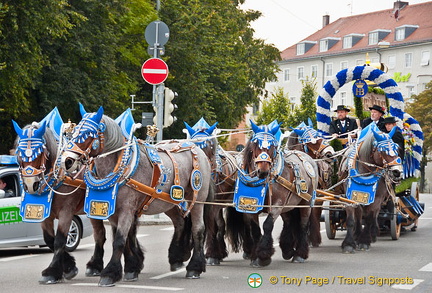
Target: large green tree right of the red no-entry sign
[216, 65]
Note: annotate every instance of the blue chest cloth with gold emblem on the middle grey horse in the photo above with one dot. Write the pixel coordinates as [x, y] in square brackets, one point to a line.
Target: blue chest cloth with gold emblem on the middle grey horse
[249, 199]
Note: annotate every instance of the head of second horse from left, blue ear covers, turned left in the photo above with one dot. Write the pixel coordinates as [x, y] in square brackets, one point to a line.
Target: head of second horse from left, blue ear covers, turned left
[87, 140]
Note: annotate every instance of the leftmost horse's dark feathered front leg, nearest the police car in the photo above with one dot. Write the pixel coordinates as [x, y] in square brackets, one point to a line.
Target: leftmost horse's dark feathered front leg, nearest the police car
[62, 262]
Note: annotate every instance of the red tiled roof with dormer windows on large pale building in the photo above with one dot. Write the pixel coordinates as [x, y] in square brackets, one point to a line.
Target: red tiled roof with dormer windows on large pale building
[417, 15]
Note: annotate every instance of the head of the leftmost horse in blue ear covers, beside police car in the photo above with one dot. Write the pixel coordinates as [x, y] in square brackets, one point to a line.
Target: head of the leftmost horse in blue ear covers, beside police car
[32, 155]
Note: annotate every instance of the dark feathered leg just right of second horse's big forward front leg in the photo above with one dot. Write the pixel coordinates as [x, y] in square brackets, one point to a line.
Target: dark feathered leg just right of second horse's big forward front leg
[133, 255]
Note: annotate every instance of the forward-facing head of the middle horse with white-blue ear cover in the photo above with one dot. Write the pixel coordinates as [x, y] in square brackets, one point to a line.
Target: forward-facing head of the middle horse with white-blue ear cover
[261, 150]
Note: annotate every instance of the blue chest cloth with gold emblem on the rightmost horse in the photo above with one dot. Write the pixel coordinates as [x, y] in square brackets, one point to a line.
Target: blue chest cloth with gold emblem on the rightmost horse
[362, 189]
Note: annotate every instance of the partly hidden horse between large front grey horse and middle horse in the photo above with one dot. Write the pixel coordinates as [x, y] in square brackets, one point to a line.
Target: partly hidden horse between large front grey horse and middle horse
[224, 174]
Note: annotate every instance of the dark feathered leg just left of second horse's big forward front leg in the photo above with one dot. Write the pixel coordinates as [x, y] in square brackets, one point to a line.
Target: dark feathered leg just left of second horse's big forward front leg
[95, 264]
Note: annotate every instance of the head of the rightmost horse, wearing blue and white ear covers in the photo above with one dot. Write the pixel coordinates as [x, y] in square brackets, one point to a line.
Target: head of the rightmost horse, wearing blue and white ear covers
[385, 153]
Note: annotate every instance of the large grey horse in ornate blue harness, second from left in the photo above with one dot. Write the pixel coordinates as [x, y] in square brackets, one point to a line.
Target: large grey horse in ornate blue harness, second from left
[142, 179]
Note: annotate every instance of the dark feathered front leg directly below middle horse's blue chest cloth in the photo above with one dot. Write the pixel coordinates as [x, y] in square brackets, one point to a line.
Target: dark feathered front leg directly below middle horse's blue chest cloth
[265, 249]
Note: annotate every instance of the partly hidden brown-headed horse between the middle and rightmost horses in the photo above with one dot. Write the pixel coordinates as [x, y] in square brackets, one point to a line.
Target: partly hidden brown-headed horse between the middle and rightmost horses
[306, 138]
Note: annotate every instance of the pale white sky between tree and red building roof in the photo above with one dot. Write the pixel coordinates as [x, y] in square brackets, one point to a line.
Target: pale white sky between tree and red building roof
[286, 22]
